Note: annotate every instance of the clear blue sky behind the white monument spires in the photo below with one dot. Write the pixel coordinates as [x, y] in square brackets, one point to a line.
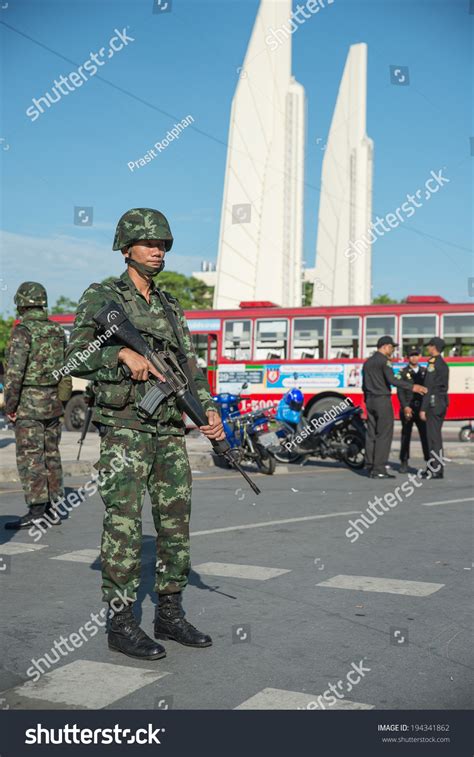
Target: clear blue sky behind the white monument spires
[185, 62]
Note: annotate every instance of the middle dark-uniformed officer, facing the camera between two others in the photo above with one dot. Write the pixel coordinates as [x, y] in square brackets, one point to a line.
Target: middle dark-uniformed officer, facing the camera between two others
[410, 406]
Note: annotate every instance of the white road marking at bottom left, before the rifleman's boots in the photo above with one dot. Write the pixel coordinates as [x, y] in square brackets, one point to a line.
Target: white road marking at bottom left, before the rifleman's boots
[86, 684]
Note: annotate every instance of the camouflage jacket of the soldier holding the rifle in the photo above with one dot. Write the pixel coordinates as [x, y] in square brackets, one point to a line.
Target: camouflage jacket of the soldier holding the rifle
[118, 396]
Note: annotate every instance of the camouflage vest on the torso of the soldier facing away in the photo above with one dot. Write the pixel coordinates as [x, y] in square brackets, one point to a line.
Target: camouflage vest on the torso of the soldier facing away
[46, 354]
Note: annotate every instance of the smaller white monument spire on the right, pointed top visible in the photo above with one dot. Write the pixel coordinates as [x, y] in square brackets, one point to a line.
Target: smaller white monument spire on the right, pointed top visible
[343, 252]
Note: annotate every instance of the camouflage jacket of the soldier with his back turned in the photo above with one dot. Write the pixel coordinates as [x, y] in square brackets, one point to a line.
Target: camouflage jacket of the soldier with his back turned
[36, 350]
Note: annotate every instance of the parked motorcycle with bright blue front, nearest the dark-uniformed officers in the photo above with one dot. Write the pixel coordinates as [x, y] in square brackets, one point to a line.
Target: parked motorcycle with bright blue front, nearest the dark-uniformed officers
[292, 438]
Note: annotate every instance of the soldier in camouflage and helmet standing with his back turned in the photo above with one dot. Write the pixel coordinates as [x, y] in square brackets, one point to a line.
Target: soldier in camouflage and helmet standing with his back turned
[35, 356]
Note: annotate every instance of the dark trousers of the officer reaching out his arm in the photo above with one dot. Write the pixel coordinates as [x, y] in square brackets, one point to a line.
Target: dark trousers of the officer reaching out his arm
[379, 432]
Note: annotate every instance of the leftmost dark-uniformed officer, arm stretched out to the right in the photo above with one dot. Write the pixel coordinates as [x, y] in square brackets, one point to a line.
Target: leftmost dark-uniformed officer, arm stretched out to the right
[377, 378]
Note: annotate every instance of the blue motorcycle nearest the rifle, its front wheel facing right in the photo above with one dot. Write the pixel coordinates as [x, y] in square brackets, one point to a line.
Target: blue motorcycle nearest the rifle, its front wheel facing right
[243, 432]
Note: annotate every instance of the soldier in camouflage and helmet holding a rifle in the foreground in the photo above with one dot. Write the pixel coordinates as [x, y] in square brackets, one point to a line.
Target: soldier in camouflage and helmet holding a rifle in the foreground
[154, 446]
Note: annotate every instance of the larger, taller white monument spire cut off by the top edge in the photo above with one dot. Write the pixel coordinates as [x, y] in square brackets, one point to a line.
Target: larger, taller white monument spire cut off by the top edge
[261, 234]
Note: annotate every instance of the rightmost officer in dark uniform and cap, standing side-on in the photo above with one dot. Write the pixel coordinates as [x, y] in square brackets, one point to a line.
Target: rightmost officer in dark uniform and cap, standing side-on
[435, 403]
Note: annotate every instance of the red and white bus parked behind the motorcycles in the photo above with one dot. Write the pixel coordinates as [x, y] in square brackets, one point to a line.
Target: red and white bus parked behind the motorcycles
[319, 350]
